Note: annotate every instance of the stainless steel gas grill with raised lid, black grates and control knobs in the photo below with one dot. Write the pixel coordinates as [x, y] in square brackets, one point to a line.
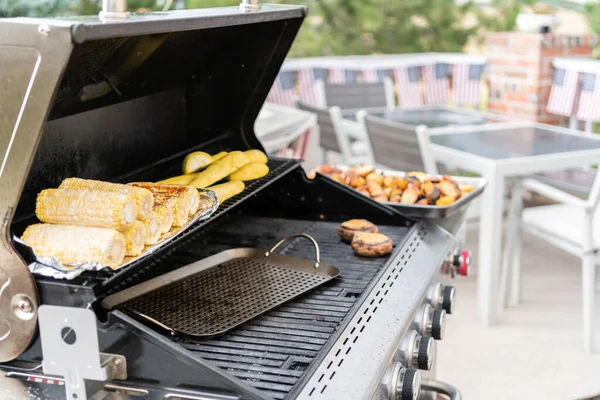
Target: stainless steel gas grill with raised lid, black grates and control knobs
[124, 98]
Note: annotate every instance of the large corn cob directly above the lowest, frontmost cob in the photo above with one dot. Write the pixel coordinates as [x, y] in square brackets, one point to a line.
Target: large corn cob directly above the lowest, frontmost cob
[86, 208]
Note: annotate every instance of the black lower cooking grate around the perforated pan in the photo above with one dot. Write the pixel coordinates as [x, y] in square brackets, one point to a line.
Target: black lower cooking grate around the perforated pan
[273, 351]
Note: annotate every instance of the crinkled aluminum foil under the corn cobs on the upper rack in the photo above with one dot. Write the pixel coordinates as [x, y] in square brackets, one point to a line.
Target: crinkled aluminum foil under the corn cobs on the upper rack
[51, 267]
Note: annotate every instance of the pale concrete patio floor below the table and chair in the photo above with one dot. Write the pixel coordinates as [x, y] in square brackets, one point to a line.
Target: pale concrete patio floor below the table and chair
[535, 352]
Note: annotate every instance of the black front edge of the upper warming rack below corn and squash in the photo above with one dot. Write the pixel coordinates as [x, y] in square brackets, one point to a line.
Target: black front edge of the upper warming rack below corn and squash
[117, 280]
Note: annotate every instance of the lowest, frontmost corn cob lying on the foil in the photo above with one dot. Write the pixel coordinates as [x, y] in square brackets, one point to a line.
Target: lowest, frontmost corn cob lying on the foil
[73, 244]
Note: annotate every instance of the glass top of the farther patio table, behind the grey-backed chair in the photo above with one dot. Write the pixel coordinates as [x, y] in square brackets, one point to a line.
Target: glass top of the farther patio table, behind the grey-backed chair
[431, 117]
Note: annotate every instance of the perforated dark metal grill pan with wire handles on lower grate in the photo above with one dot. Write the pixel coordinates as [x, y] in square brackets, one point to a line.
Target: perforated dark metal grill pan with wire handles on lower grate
[216, 294]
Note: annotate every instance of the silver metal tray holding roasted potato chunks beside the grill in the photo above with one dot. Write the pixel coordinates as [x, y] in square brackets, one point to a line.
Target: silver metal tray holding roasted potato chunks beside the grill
[417, 212]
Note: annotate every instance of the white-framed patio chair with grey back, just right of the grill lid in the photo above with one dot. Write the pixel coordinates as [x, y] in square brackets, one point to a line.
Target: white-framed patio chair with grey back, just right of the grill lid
[332, 137]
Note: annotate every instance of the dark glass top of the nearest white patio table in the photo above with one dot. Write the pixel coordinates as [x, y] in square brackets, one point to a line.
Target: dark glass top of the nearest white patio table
[515, 142]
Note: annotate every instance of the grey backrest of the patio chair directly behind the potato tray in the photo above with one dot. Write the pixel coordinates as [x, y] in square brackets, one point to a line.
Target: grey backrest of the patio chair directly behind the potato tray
[398, 146]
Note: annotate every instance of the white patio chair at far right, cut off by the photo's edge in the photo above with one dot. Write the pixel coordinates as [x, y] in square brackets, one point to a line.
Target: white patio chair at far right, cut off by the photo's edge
[572, 225]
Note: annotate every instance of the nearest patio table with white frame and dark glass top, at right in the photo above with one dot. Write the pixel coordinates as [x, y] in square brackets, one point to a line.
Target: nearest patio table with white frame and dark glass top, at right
[498, 152]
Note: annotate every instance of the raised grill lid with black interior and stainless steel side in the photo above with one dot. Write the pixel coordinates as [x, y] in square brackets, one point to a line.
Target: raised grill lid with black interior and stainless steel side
[99, 99]
